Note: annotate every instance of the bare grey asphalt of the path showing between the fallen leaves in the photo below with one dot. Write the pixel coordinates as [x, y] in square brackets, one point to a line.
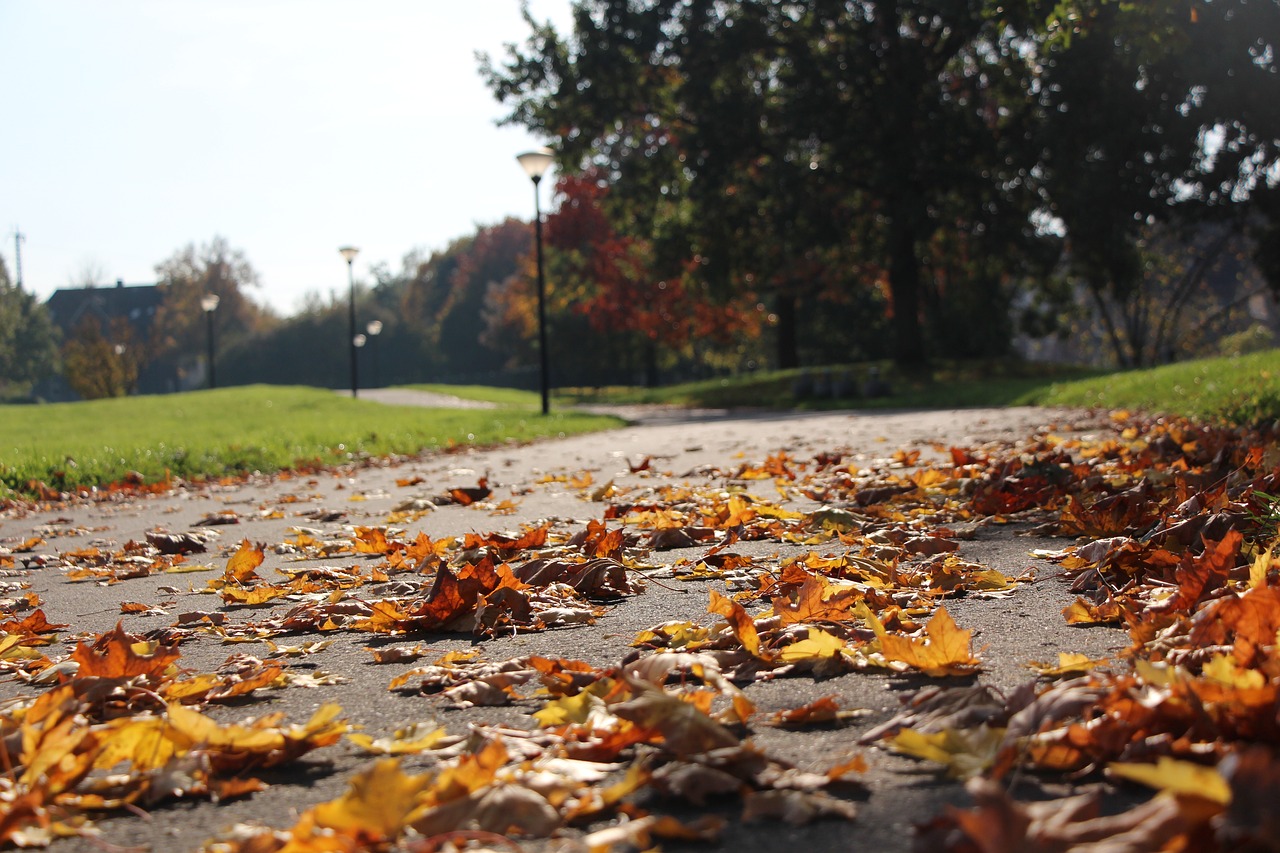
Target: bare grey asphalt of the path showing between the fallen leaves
[536, 483]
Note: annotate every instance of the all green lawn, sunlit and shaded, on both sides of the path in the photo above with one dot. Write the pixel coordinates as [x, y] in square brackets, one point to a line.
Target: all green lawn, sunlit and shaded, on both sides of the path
[268, 428]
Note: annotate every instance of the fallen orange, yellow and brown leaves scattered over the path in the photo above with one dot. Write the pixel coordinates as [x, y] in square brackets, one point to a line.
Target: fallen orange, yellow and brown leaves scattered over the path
[1174, 528]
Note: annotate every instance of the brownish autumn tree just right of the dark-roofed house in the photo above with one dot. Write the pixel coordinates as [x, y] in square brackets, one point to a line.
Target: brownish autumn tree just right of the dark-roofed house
[194, 272]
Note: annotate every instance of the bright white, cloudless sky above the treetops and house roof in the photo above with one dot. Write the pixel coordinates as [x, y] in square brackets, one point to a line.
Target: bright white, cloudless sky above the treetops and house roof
[135, 129]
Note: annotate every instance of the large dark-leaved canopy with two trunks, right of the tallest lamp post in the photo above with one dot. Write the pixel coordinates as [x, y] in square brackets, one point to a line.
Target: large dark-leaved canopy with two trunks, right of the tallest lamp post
[794, 131]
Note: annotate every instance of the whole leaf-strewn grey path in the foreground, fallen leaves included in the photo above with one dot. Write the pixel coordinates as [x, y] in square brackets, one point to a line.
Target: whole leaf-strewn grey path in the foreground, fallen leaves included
[734, 633]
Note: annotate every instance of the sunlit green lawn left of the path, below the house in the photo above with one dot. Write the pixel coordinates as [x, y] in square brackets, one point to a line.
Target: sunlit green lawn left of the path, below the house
[234, 431]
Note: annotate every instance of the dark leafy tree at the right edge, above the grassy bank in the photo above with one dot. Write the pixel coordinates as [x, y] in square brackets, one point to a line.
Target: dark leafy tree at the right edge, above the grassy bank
[1158, 120]
